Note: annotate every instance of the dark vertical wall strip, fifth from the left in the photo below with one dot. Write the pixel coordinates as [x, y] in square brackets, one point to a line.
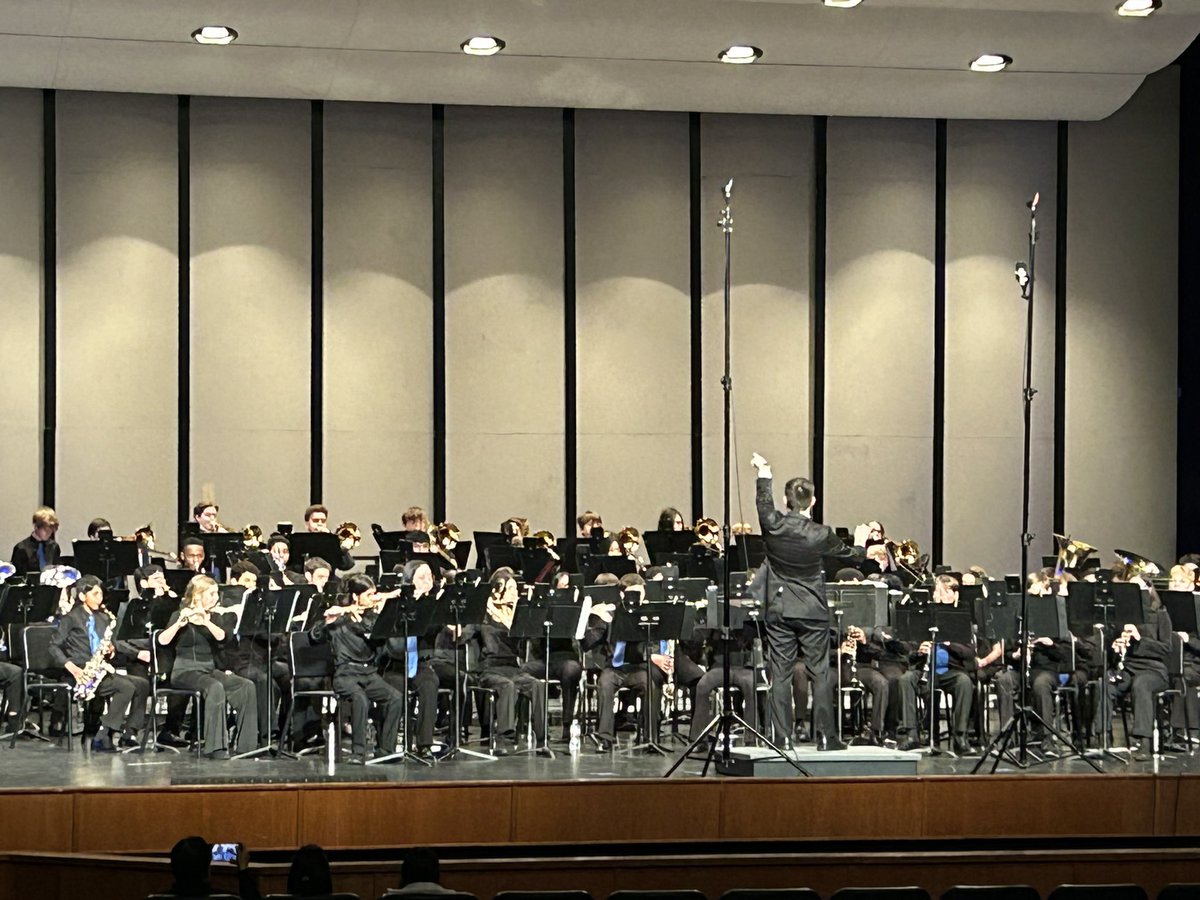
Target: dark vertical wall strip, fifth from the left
[571, 397]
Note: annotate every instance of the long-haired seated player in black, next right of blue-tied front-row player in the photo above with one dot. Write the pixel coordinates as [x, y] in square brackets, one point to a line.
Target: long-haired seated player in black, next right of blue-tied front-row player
[500, 664]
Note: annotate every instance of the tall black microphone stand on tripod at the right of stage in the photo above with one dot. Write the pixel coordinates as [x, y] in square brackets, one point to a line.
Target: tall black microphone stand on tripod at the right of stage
[1019, 725]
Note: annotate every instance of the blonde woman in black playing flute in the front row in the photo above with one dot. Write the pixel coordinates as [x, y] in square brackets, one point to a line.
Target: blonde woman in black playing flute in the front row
[197, 631]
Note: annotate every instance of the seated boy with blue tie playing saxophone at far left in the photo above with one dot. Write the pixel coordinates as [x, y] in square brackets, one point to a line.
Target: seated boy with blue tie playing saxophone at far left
[83, 646]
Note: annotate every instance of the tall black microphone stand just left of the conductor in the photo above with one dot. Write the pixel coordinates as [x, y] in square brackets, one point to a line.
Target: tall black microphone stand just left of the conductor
[719, 731]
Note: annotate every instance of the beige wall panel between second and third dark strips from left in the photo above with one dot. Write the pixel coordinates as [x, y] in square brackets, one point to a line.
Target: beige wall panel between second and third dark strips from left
[251, 298]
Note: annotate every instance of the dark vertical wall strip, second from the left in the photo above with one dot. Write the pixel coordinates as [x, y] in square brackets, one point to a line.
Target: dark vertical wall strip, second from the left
[184, 238]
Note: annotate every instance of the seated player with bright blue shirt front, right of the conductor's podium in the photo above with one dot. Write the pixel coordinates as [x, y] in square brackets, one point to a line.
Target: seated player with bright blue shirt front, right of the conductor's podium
[952, 662]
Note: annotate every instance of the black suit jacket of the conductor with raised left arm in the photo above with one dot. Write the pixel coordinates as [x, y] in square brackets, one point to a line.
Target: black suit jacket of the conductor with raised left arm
[794, 574]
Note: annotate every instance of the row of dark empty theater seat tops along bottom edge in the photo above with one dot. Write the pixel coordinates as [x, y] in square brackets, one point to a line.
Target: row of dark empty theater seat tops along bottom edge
[1012, 892]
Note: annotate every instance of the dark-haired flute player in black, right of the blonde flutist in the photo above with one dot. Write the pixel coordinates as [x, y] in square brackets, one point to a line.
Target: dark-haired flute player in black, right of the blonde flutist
[356, 674]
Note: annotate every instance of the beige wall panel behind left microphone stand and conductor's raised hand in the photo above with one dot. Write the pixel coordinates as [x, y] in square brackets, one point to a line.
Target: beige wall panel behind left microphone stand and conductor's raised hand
[771, 163]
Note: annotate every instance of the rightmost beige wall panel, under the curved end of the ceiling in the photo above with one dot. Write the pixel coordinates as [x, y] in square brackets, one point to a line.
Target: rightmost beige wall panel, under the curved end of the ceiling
[1123, 317]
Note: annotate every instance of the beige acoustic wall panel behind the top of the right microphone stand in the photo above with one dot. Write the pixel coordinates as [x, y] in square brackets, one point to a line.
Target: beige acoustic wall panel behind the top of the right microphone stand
[993, 171]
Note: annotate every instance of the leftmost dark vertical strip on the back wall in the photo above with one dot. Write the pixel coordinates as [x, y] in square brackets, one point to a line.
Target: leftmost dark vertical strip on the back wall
[50, 296]
